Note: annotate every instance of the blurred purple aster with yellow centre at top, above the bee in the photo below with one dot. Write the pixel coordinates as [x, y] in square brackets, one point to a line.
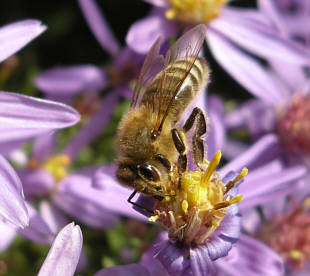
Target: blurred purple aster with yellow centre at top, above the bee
[231, 33]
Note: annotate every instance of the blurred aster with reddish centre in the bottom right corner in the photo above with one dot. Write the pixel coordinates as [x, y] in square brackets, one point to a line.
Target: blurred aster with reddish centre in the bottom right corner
[284, 225]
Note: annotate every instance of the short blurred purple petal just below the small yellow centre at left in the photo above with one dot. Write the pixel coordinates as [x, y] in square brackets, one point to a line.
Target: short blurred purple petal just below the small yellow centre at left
[36, 182]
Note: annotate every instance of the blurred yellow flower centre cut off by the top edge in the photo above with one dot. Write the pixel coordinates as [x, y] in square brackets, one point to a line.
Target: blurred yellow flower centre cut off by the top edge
[194, 11]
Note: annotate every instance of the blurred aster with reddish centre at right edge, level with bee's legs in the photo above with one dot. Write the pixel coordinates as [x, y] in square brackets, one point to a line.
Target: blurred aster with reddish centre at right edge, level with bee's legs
[280, 109]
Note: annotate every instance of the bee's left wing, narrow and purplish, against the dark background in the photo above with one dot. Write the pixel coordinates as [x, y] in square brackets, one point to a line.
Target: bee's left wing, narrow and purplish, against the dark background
[153, 63]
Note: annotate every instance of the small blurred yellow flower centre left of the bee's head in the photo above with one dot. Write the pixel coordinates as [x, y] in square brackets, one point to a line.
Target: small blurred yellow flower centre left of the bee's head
[56, 165]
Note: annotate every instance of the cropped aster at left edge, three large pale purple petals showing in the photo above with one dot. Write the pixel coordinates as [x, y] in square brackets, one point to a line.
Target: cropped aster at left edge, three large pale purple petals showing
[21, 118]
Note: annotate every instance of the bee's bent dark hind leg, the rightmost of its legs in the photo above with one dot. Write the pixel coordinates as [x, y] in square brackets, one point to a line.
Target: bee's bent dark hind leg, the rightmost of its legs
[200, 129]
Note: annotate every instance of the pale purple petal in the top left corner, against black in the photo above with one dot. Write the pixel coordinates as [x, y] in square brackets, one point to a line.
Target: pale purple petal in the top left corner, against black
[16, 35]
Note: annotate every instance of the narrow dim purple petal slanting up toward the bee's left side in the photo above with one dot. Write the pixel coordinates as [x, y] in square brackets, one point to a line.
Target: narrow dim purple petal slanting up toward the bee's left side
[93, 128]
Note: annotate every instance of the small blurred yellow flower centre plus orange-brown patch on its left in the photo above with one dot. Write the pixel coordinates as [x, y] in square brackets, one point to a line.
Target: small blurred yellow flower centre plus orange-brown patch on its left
[56, 166]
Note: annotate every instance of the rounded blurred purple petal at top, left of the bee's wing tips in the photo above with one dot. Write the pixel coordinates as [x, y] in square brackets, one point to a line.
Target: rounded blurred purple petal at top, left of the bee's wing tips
[142, 34]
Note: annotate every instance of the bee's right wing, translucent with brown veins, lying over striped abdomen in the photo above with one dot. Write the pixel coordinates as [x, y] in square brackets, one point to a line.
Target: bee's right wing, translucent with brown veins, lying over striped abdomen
[188, 45]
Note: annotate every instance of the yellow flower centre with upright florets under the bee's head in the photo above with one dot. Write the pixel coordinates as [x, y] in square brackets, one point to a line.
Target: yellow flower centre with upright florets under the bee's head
[199, 204]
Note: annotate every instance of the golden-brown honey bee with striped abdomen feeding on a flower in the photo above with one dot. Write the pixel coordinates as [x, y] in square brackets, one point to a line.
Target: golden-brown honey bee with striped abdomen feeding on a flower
[150, 145]
